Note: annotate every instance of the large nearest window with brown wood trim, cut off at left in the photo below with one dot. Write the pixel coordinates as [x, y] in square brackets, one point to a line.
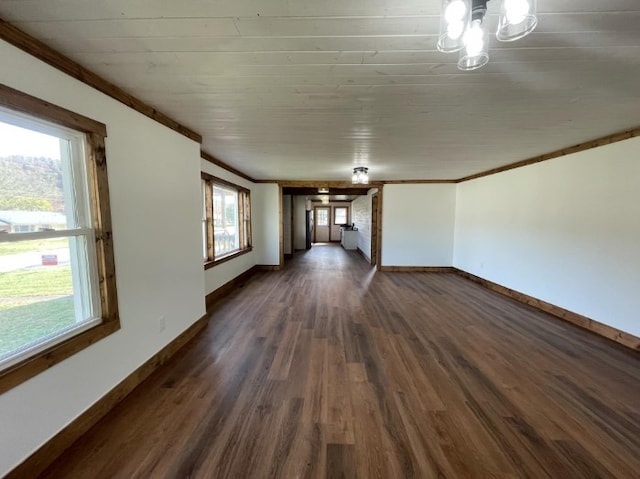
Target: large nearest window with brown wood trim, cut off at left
[57, 274]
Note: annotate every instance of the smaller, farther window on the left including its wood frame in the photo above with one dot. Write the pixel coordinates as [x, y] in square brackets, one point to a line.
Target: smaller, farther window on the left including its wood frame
[226, 219]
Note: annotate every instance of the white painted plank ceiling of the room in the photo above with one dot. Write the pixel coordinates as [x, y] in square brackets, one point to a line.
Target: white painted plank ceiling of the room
[306, 89]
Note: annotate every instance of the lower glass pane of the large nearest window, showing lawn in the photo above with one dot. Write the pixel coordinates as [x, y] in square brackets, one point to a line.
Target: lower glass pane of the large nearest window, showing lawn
[36, 293]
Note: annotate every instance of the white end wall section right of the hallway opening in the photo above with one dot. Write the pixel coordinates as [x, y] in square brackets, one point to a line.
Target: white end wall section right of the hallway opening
[418, 224]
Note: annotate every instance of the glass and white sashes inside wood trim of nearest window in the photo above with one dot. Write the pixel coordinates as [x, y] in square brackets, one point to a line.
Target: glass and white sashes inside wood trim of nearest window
[48, 282]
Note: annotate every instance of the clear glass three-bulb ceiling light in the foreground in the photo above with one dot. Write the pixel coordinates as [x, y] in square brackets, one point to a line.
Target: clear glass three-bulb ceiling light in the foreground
[463, 28]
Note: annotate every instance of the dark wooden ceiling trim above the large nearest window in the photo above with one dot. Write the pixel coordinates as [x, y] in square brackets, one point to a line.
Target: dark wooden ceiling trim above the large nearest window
[43, 52]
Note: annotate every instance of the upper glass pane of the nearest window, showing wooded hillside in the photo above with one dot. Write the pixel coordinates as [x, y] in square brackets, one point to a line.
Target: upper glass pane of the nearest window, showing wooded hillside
[34, 168]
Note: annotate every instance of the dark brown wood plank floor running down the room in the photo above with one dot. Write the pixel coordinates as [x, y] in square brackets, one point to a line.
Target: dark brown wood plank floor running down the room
[329, 369]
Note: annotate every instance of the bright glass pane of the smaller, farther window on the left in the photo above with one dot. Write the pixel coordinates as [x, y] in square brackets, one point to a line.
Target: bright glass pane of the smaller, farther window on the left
[225, 220]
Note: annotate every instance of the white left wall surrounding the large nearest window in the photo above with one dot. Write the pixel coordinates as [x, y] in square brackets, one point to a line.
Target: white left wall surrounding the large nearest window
[155, 203]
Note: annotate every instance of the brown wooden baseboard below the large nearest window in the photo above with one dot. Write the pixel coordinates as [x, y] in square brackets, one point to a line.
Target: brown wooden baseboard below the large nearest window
[35, 464]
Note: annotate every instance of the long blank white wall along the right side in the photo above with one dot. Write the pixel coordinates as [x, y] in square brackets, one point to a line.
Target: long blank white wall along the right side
[566, 231]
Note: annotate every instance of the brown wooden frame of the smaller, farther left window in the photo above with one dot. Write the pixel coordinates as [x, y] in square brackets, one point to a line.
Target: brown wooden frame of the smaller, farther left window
[243, 220]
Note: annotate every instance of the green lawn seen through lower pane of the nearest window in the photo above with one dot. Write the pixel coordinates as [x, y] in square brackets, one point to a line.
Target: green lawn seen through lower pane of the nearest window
[33, 304]
